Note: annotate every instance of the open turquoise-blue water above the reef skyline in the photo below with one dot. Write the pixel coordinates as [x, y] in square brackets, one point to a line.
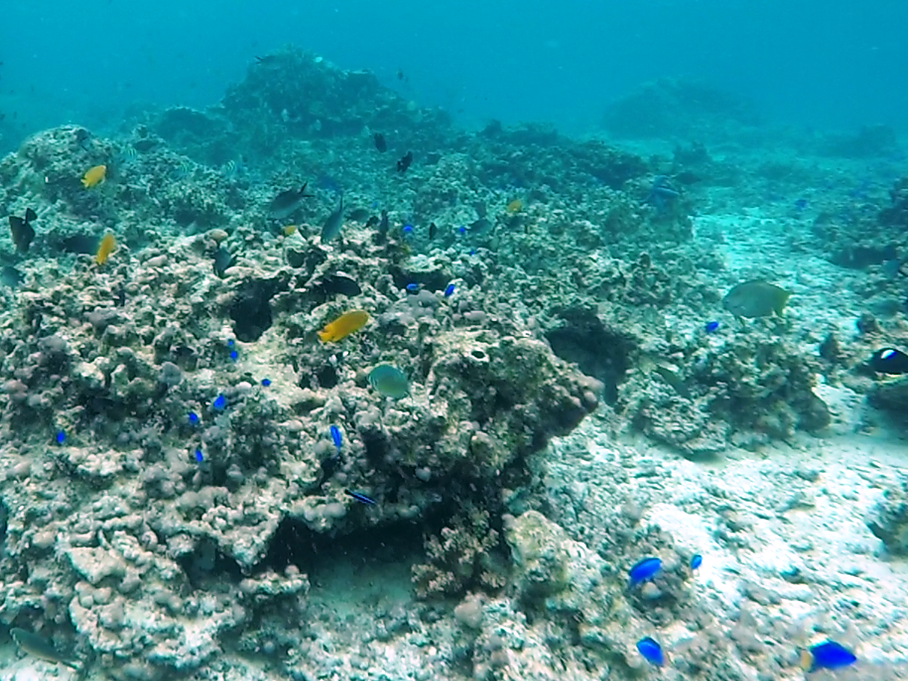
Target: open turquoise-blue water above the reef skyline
[823, 64]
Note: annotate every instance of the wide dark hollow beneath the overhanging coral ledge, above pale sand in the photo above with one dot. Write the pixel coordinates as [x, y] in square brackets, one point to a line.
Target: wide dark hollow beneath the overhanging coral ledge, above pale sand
[294, 543]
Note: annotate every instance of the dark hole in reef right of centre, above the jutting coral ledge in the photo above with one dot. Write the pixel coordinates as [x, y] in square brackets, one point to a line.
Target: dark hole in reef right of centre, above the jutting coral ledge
[598, 351]
